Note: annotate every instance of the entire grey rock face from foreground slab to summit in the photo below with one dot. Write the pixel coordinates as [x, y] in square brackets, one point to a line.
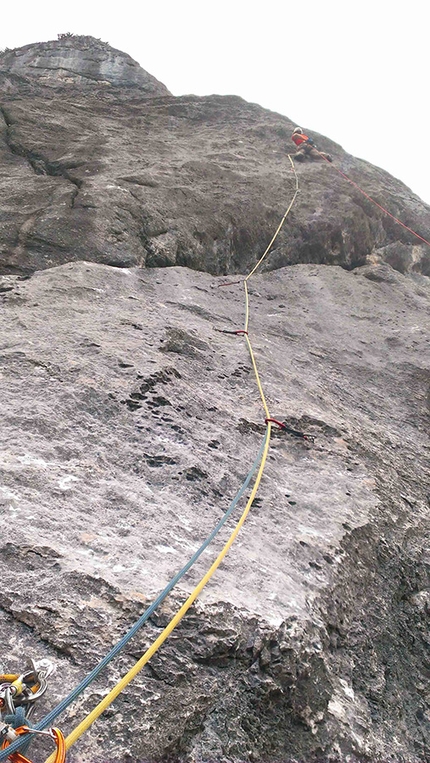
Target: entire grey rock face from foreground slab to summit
[128, 422]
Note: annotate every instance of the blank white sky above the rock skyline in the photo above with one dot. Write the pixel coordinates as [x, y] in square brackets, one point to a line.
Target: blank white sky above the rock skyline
[354, 71]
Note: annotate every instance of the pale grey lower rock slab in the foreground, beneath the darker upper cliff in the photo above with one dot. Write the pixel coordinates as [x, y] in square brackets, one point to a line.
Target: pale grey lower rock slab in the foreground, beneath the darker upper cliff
[128, 424]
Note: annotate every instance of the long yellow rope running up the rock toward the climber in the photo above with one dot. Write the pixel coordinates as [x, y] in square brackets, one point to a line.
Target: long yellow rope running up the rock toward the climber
[132, 673]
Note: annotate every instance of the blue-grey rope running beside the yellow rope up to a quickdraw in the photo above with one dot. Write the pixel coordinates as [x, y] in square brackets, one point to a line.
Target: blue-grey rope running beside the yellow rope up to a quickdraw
[74, 694]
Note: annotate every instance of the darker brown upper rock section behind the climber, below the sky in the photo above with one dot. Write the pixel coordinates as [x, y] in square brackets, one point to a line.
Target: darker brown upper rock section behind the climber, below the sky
[103, 172]
